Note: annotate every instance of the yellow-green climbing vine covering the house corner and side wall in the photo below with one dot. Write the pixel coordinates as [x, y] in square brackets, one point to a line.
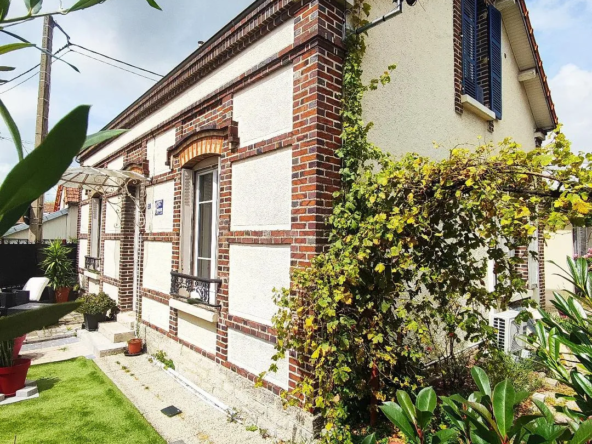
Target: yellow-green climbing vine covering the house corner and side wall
[409, 248]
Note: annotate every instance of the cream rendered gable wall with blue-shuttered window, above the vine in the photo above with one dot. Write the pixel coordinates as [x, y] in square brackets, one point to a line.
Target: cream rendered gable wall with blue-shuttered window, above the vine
[468, 73]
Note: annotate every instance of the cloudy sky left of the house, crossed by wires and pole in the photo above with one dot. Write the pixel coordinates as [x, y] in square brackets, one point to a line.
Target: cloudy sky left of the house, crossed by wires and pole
[128, 30]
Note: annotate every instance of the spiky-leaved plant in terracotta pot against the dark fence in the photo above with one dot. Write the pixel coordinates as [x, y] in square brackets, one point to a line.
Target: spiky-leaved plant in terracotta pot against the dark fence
[59, 269]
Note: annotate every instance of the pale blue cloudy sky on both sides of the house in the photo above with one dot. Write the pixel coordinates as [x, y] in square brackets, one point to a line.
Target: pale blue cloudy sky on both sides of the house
[132, 31]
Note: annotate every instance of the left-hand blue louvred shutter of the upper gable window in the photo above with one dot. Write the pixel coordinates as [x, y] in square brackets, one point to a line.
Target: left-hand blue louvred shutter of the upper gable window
[469, 30]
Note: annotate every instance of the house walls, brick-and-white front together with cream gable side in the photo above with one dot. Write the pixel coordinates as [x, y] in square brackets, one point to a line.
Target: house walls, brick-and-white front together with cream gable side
[236, 147]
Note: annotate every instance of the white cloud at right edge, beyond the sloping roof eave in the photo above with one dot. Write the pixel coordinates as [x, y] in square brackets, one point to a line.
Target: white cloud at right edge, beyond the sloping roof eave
[572, 93]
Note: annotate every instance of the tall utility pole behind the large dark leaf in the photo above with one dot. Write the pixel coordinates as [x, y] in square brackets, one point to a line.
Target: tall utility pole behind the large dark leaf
[42, 124]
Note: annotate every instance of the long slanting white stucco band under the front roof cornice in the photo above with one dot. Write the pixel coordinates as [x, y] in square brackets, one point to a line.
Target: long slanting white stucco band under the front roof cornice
[252, 56]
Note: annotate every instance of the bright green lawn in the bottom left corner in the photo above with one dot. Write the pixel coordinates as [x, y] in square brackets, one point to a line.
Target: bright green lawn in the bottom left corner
[77, 404]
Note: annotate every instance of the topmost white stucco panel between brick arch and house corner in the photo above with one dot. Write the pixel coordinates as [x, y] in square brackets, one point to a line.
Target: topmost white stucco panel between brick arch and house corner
[264, 110]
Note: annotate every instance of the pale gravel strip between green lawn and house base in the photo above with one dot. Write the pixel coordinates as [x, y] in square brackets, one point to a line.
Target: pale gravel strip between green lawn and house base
[151, 389]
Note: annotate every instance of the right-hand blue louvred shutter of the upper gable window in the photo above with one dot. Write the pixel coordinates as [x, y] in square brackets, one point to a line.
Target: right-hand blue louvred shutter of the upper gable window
[495, 60]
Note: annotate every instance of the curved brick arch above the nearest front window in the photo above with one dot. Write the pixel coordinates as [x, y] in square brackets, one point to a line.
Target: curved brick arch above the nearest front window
[197, 146]
